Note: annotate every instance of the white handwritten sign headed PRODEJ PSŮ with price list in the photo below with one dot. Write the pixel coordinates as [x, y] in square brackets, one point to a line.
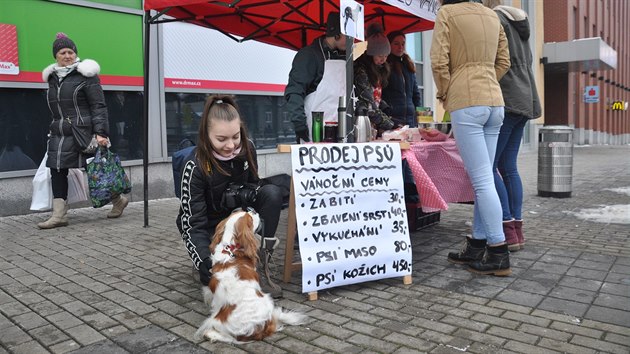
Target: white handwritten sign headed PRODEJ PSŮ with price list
[351, 216]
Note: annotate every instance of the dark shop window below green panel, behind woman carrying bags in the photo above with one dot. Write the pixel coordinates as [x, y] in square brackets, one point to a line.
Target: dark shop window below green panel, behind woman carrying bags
[25, 117]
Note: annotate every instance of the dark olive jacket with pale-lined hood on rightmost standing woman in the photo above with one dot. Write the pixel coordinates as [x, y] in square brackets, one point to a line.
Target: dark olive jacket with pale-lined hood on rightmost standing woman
[518, 84]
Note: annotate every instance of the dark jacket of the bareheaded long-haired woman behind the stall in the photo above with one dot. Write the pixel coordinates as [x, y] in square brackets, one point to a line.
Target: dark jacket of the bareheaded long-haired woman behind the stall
[402, 93]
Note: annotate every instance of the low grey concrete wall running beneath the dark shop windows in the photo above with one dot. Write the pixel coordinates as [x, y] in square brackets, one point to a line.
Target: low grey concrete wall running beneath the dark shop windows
[15, 201]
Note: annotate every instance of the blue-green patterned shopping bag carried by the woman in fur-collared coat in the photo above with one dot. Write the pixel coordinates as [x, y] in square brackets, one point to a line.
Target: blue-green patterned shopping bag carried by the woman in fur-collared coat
[106, 178]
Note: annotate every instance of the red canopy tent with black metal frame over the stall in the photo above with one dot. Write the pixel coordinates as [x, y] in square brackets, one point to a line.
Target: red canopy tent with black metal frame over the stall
[286, 23]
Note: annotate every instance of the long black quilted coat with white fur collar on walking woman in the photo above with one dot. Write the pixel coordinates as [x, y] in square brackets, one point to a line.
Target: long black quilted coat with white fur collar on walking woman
[78, 99]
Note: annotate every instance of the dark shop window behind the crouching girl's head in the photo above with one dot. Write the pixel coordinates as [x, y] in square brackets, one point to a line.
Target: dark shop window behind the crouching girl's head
[267, 121]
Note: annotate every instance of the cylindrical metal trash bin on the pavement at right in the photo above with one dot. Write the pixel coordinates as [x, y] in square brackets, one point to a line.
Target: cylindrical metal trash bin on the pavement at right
[555, 161]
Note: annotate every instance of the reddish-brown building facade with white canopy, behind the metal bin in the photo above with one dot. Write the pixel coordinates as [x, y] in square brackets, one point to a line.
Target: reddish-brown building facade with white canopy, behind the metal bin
[589, 90]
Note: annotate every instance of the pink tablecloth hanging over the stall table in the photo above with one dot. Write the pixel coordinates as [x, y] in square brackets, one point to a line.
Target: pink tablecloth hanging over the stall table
[439, 173]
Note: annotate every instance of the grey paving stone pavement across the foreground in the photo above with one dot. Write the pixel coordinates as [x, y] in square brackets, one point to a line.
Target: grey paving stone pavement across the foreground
[113, 286]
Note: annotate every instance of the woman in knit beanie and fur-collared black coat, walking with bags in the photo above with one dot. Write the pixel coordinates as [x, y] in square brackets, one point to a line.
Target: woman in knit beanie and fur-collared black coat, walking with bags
[75, 97]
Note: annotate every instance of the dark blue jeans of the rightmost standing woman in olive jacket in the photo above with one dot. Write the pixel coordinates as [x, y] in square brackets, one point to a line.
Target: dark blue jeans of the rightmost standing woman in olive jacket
[506, 177]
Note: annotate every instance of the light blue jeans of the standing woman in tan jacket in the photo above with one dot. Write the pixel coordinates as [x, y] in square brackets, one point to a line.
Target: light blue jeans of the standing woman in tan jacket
[476, 132]
